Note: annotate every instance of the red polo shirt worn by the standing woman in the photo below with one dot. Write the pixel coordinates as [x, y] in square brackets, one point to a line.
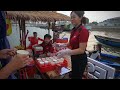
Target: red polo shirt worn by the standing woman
[78, 35]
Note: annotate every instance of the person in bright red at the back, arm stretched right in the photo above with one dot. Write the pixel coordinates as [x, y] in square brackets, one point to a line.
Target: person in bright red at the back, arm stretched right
[33, 40]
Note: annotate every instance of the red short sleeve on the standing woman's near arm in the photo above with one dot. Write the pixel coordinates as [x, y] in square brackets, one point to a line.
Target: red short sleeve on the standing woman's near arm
[84, 35]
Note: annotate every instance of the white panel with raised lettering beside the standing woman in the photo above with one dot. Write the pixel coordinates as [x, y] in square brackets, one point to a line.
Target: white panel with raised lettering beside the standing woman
[98, 70]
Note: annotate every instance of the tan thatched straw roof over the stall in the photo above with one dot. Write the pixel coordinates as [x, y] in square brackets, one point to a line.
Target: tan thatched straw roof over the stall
[37, 16]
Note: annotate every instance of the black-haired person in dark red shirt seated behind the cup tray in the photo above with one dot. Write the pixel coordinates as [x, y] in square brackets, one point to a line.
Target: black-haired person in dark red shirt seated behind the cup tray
[47, 45]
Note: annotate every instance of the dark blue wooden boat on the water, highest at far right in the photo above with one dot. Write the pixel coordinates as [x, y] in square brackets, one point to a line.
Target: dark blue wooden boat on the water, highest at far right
[108, 41]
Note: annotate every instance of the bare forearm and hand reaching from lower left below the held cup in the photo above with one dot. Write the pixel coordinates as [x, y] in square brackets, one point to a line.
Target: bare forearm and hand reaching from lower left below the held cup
[16, 63]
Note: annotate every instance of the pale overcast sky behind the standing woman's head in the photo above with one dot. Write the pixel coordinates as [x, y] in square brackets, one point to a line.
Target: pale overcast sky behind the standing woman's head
[97, 16]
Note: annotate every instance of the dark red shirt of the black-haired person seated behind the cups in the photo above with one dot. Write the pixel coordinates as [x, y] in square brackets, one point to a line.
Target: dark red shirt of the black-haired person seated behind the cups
[47, 47]
